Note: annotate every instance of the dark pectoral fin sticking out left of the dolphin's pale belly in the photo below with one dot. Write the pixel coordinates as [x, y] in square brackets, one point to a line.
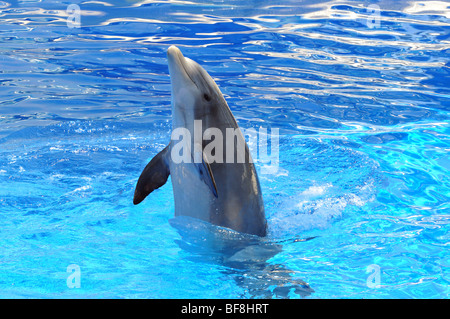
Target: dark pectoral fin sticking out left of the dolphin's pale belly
[154, 175]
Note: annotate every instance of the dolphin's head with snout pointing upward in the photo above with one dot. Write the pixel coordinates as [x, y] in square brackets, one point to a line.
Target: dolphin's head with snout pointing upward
[193, 89]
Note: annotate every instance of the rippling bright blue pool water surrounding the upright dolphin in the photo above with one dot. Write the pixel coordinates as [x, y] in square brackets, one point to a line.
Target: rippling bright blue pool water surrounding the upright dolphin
[358, 208]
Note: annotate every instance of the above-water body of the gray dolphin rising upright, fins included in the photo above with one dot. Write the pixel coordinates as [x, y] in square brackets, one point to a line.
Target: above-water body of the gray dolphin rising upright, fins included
[215, 190]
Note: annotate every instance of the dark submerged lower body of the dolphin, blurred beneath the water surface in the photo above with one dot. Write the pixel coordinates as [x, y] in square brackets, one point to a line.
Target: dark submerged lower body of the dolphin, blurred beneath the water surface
[243, 257]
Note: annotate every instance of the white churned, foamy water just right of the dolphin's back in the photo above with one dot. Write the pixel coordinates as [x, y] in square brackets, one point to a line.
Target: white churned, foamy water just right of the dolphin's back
[320, 184]
